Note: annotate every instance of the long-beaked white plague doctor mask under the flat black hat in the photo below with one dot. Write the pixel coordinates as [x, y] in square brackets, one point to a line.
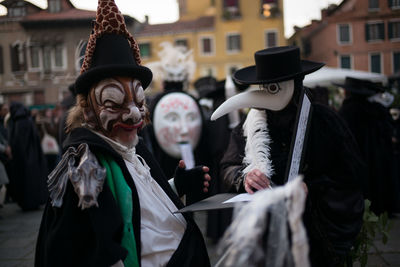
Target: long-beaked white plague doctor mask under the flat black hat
[274, 96]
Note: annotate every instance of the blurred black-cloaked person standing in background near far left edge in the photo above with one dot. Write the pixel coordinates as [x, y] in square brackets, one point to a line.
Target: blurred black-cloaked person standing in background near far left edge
[28, 168]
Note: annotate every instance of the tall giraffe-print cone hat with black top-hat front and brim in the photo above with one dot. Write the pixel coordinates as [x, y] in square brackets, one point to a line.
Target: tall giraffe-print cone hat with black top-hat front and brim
[111, 51]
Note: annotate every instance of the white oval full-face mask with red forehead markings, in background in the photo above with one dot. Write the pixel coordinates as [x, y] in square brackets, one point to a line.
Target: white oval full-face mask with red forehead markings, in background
[176, 119]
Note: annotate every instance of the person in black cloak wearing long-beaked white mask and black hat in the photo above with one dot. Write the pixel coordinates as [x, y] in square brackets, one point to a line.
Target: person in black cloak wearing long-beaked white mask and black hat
[258, 152]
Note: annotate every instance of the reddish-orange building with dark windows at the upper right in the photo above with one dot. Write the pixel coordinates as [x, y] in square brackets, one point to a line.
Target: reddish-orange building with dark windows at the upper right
[356, 34]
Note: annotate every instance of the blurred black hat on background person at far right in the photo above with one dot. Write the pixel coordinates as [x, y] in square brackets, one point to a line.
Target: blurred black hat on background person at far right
[360, 86]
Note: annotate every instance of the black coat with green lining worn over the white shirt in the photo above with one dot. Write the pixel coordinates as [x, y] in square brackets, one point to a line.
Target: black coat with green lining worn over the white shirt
[70, 236]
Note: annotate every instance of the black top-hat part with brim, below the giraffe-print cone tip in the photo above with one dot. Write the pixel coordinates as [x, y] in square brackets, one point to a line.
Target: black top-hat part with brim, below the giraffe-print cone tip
[113, 56]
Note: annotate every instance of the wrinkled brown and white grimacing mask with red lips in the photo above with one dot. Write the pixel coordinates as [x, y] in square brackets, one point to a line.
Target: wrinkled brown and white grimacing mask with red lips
[117, 108]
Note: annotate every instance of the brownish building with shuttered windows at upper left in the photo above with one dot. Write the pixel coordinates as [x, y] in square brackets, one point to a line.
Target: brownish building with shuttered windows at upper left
[41, 50]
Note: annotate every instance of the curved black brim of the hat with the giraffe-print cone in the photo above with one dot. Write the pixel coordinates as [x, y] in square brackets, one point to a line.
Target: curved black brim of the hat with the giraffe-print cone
[86, 80]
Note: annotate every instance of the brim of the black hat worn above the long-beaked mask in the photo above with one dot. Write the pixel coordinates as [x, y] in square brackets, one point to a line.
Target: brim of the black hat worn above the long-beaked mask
[248, 75]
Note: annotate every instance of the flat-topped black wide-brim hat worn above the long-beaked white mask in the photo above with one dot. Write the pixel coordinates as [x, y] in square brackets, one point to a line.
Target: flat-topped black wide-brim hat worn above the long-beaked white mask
[276, 64]
